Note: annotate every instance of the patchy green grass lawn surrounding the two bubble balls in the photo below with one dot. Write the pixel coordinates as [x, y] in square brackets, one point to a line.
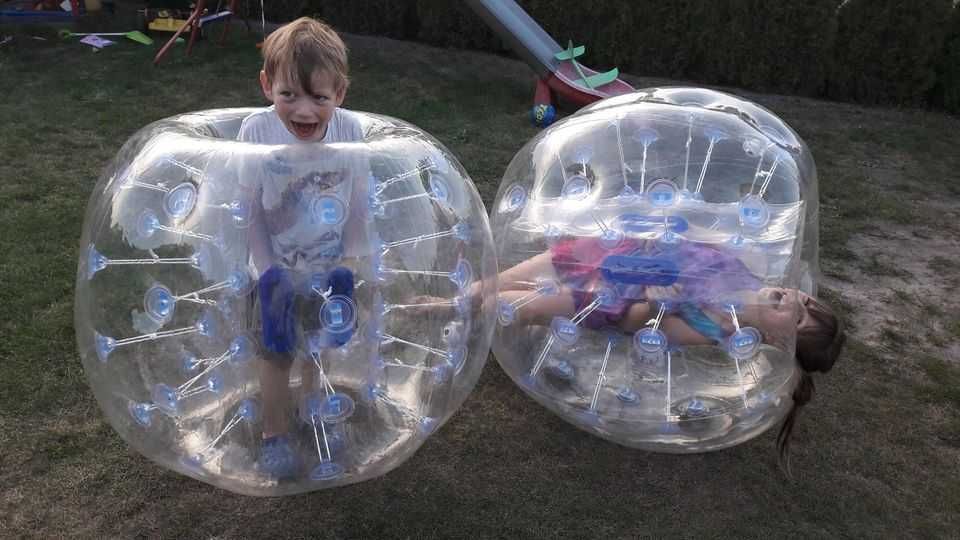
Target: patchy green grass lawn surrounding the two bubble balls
[877, 454]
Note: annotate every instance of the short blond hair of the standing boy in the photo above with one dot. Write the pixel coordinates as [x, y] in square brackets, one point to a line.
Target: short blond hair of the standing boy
[298, 50]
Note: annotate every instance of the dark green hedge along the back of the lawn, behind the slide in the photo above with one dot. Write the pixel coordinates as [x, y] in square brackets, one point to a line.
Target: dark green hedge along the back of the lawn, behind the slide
[872, 51]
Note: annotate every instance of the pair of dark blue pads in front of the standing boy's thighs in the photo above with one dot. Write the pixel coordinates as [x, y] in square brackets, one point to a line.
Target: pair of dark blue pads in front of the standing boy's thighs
[281, 307]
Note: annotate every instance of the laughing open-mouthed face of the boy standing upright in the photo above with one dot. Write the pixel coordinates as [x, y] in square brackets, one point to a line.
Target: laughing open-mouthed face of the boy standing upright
[305, 115]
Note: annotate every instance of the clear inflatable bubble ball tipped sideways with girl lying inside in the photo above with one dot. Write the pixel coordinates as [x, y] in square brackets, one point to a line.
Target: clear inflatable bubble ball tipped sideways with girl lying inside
[653, 248]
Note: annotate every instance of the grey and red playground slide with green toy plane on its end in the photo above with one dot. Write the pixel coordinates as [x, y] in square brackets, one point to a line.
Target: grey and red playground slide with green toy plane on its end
[557, 68]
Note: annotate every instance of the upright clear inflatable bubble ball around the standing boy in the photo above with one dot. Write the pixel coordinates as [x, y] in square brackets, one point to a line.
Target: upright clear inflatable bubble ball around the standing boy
[375, 327]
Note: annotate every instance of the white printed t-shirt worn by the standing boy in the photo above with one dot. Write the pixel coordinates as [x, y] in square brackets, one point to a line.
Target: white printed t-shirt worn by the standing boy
[313, 196]
